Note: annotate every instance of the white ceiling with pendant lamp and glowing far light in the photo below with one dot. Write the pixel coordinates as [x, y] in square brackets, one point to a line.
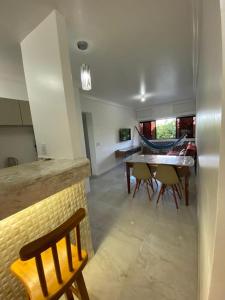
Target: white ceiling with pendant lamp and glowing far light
[134, 46]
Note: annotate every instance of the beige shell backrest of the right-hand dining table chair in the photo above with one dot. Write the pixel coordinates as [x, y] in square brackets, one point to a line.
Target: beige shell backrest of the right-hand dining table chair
[167, 174]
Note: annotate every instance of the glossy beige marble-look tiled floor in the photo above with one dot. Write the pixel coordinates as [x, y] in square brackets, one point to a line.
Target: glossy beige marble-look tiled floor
[143, 252]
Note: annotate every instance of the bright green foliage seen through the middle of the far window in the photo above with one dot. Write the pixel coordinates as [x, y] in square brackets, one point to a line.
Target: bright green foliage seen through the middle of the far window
[166, 129]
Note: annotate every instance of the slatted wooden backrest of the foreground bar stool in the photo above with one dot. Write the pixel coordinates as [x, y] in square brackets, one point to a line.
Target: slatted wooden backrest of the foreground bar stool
[35, 248]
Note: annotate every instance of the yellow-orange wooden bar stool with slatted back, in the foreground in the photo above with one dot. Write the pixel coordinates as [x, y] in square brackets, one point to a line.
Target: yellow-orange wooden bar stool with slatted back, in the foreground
[49, 266]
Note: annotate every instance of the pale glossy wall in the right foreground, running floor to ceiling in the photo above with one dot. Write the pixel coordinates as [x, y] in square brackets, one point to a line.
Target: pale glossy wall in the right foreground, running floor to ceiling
[211, 150]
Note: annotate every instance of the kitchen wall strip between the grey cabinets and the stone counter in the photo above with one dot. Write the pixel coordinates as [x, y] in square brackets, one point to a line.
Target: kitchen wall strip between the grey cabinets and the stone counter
[17, 141]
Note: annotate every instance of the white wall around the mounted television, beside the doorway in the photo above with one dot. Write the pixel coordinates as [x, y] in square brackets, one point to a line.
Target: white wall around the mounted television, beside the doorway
[108, 118]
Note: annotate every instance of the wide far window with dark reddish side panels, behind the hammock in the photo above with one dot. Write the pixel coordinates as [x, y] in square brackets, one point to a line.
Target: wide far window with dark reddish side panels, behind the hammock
[170, 128]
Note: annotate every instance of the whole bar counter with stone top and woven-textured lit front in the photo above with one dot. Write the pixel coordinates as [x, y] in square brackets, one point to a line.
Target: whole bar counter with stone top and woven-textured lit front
[34, 199]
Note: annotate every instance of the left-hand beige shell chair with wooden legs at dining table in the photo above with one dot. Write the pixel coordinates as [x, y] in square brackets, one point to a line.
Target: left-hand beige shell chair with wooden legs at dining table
[142, 173]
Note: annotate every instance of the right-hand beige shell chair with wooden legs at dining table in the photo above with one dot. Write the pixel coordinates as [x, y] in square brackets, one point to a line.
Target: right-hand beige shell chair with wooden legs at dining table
[167, 175]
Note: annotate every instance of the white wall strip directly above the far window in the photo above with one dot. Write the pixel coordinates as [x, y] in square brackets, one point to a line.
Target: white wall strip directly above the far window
[166, 110]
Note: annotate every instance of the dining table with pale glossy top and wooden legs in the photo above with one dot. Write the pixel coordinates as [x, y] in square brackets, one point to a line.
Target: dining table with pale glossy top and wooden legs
[154, 160]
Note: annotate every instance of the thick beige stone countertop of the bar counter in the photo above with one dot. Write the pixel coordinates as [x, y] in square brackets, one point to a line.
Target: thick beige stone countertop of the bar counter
[24, 185]
